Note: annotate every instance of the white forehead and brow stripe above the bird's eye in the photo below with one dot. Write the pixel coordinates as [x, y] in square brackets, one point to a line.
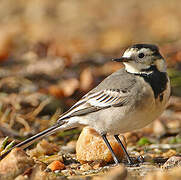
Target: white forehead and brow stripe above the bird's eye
[134, 51]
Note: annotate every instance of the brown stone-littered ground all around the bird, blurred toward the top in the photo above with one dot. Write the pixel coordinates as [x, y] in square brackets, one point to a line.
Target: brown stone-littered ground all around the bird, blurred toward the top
[51, 54]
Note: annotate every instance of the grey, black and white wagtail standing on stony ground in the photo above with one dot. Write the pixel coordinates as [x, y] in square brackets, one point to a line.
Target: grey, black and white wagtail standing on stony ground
[128, 99]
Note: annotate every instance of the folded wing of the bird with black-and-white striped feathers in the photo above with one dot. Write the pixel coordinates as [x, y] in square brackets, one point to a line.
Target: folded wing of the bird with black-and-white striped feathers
[96, 101]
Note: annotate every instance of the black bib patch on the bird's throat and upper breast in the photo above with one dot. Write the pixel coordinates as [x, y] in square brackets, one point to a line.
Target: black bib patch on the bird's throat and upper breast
[157, 80]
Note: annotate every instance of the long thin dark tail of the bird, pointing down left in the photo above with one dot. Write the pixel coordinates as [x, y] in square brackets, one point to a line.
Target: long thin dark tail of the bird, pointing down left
[46, 132]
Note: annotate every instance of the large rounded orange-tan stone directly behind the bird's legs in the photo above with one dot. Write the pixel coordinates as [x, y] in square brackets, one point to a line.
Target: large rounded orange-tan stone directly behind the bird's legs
[91, 147]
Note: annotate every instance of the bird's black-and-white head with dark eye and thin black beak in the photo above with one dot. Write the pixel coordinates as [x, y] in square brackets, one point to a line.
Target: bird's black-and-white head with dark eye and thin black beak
[142, 58]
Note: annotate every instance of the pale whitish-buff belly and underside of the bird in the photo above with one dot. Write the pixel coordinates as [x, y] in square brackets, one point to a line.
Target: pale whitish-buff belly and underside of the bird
[117, 120]
